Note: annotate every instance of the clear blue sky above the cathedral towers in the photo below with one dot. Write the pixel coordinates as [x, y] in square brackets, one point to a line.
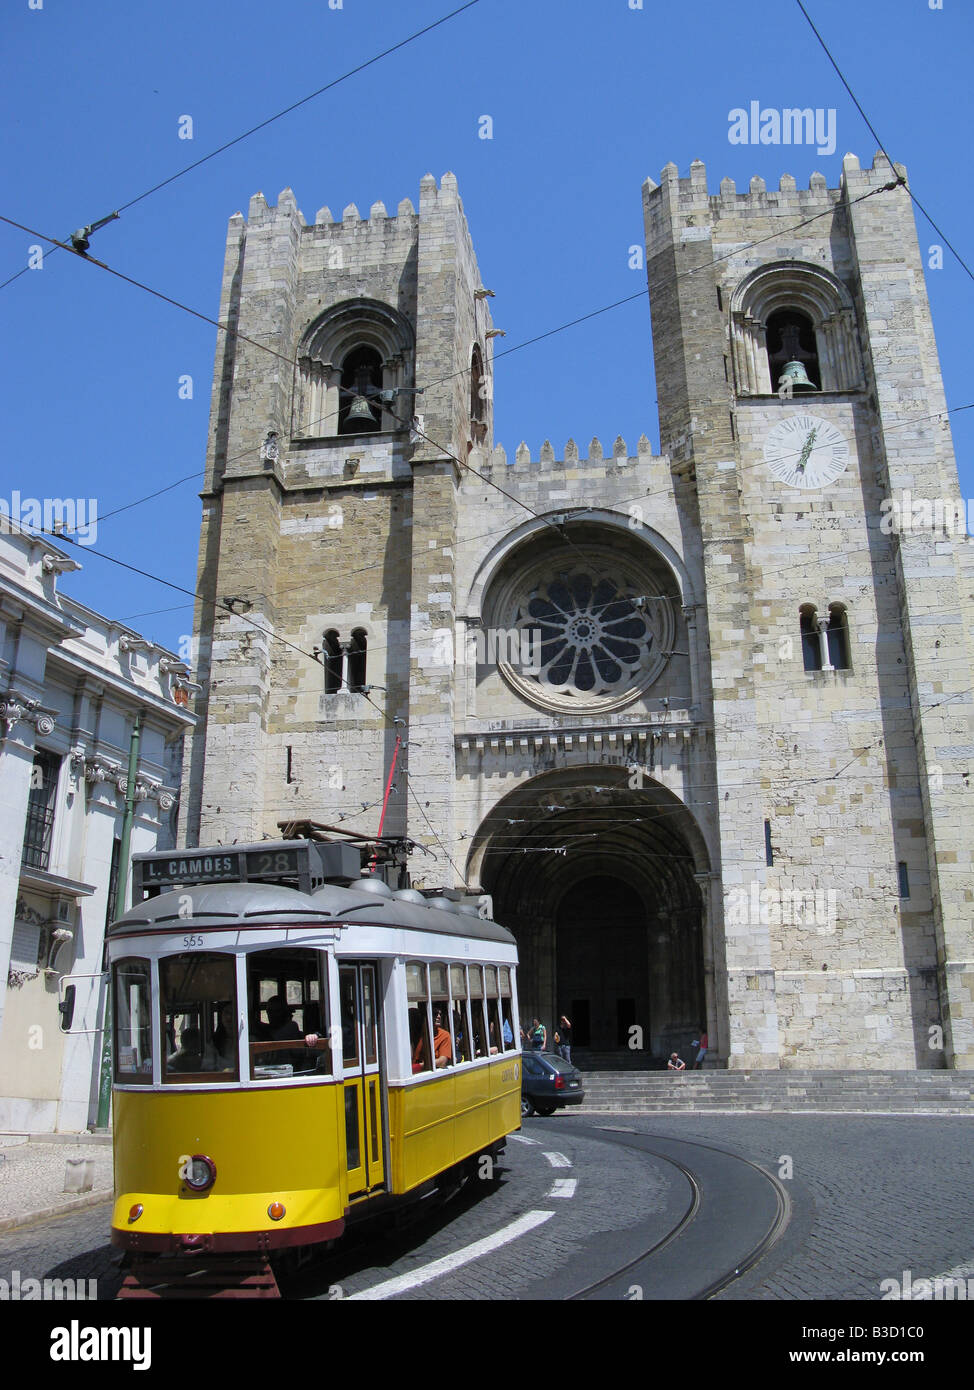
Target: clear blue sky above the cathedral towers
[588, 98]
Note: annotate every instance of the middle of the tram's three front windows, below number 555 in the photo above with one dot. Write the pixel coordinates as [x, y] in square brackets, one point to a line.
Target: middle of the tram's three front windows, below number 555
[198, 999]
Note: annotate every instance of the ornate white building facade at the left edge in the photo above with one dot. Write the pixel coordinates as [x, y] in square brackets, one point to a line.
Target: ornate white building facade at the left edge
[74, 685]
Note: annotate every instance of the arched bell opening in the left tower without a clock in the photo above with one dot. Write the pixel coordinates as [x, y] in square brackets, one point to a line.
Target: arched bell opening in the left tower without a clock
[356, 348]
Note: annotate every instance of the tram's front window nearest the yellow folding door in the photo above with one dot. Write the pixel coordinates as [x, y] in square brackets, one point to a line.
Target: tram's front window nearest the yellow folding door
[288, 1004]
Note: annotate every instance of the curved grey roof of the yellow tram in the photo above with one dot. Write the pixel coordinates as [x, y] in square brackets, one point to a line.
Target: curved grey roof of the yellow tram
[330, 906]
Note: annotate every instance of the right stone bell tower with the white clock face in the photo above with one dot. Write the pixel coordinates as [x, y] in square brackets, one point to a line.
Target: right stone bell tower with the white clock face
[801, 404]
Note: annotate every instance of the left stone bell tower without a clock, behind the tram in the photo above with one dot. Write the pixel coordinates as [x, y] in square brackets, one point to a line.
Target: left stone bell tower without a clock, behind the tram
[351, 387]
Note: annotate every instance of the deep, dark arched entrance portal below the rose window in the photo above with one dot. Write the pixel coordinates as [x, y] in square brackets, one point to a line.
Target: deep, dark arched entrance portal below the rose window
[601, 885]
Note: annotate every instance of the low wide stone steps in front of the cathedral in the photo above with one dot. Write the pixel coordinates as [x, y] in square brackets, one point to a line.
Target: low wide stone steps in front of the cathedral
[668, 1093]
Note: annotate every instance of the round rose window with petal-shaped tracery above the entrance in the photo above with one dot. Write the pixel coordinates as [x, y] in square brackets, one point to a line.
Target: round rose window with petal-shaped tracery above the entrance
[587, 635]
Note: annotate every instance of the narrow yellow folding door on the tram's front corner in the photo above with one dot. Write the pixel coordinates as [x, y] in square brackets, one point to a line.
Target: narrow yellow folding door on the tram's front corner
[362, 1081]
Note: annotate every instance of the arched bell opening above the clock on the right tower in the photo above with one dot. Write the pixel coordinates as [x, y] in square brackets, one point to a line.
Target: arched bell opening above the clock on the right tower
[794, 308]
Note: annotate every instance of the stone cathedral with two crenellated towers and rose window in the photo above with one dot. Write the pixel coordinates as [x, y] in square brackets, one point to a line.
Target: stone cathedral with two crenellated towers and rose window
[700, 723]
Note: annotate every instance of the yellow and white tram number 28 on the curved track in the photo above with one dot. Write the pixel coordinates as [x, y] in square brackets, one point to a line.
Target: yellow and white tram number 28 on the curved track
[295, 1045]
